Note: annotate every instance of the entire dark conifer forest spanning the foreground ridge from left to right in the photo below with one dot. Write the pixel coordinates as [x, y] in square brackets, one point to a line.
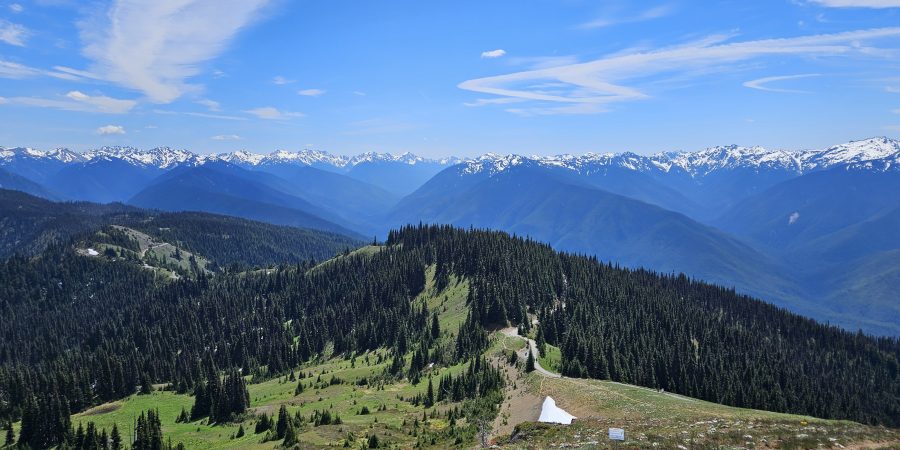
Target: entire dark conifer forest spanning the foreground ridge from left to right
[631, 326]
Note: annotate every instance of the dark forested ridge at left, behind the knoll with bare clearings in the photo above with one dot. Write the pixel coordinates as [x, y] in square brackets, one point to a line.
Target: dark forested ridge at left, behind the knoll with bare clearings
[31, 223]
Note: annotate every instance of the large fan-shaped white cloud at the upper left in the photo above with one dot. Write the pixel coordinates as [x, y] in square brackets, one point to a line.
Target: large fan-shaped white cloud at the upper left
[156, 46]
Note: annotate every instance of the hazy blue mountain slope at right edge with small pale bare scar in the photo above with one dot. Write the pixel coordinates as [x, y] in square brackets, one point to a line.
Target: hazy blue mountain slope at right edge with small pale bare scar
[837, 230]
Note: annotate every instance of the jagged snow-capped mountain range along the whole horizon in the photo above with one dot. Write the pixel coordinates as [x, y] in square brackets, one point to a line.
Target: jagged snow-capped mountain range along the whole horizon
[878, 154]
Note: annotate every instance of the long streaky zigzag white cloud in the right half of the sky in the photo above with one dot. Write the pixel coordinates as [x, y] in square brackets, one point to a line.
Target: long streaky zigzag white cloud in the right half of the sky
[617, 78]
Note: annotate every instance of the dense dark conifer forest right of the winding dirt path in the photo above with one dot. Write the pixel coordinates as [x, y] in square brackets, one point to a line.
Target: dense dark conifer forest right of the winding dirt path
[668, 331]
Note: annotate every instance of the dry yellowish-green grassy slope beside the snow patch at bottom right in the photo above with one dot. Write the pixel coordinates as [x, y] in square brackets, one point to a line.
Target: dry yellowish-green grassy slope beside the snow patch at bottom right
[653, 419]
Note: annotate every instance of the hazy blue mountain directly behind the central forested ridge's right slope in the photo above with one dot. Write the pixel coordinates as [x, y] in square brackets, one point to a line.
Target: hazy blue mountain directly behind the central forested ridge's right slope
[553, 206]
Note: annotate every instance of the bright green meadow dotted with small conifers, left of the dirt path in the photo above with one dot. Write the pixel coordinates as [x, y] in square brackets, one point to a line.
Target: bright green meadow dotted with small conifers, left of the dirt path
[394, 420]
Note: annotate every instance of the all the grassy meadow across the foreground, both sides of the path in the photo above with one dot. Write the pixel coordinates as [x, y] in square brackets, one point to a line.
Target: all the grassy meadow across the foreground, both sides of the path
[652, 419]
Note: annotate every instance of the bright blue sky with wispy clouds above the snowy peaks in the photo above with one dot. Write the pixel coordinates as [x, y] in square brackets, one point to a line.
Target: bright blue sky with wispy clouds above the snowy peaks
[440, 77]
